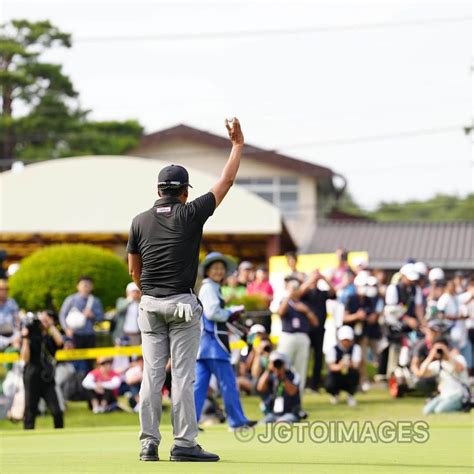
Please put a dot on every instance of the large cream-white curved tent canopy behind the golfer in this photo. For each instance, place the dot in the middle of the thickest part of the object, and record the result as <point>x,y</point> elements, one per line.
<point>101,194</point>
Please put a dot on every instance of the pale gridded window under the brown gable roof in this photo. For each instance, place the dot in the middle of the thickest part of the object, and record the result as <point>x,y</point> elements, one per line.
<point>281,191</point>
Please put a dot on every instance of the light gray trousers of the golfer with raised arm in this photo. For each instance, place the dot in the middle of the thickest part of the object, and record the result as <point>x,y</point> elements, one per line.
<point>165,335</point>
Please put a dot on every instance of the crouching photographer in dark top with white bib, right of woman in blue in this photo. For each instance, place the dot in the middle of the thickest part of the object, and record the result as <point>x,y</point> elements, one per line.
<point>280,388</point>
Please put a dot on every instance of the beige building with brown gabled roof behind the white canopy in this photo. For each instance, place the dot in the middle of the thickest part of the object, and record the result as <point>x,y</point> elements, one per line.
<point>298,188</point>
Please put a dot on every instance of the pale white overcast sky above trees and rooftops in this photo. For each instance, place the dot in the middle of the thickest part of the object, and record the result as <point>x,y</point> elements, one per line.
<point>383,105</point>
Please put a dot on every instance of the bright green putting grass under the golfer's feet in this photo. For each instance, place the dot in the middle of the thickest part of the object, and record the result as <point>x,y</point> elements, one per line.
<point>109,443</point>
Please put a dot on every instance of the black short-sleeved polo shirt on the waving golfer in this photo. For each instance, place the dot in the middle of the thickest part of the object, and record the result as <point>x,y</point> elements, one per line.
<point>168,237</point>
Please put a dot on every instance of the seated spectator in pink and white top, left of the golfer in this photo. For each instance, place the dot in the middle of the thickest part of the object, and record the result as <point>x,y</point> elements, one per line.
<point>102,385</point>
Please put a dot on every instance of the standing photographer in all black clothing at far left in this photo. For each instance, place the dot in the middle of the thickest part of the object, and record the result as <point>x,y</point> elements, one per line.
<point>40,340</point>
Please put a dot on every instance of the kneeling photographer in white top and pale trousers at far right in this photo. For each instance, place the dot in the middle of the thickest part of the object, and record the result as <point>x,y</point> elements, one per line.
<point>450,367</point>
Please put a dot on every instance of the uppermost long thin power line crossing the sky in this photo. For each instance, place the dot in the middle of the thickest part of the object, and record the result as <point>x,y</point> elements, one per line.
<point>276,32</point>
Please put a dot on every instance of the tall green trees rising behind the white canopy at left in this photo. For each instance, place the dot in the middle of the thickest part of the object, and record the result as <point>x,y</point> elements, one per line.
<point>40,116</point>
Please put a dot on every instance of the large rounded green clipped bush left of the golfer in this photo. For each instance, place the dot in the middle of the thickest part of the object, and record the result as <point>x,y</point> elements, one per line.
<point>48,275</point>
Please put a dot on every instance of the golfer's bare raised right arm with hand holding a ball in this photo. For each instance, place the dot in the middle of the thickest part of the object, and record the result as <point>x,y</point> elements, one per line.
<point>221,188</point>
